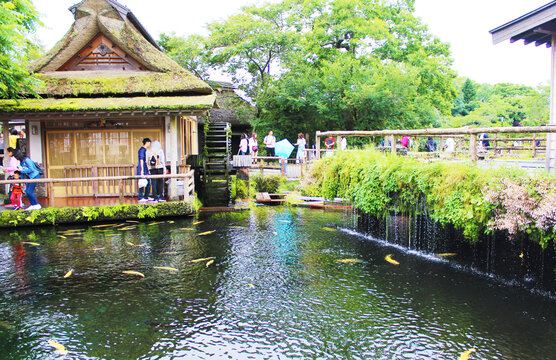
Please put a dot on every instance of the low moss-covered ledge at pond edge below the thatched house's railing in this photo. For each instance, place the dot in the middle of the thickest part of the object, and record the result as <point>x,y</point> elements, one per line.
<point>54,216</point>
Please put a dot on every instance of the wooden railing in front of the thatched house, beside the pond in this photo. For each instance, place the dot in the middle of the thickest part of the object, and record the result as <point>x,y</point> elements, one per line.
<point>188,182</point>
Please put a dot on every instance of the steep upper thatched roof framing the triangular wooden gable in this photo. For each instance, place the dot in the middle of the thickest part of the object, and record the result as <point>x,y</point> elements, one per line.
<point>121,27</point>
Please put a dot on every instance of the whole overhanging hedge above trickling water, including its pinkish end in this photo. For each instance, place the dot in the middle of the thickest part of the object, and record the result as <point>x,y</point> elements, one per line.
<point>473,199</point>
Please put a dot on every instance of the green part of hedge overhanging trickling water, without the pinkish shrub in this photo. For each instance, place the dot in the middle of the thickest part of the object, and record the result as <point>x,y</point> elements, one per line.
<point>377,183</point>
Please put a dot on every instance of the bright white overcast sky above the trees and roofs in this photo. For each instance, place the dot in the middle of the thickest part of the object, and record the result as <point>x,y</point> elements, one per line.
<point>464,24</point>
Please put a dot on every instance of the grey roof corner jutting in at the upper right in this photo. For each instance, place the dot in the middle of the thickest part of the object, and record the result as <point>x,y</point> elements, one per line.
<point>536,26</point>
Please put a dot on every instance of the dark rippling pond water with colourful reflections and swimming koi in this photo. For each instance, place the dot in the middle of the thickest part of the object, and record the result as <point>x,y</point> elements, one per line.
<point>303,303</point>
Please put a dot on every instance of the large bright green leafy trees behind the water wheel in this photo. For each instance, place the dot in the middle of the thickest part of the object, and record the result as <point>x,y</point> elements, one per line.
<point>328,64</point>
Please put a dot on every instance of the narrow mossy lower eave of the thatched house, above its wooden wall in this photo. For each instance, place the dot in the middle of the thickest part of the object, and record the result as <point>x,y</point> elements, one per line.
<point>203,102</point>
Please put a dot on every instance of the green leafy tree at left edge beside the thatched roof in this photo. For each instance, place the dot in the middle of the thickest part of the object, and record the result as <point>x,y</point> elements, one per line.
<point>18,19</point>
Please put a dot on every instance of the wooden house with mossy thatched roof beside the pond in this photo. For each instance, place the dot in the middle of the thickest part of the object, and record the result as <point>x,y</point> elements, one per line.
<point>105,86</point>
